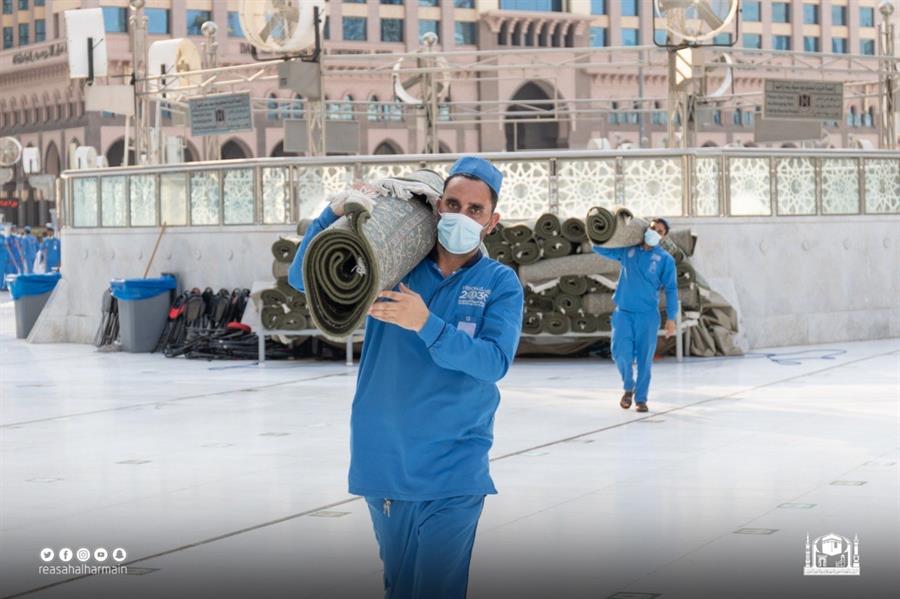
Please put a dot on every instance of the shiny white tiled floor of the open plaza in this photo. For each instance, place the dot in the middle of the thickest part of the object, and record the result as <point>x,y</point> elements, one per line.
<point>241,490</point>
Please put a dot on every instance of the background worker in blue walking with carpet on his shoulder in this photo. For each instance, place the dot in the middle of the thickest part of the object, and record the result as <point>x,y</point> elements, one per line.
<point>646,268</point>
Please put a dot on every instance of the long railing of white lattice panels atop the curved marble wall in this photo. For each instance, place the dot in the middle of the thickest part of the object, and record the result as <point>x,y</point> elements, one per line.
<point>695,183</point>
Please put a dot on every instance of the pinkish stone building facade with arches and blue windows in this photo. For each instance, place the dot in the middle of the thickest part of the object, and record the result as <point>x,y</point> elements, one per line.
<point>43,108</point>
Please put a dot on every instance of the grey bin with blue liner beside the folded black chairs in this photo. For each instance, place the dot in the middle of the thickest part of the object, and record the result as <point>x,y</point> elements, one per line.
<point>143,310</point>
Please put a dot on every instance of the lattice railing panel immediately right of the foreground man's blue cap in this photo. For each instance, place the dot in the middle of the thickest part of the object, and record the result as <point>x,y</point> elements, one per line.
<point>525,193</point>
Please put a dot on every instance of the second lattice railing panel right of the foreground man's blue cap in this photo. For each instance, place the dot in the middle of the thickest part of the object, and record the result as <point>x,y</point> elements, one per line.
<point>583,184</point>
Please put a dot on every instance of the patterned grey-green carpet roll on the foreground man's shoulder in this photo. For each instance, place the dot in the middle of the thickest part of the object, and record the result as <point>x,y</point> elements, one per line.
<point>349,263</point>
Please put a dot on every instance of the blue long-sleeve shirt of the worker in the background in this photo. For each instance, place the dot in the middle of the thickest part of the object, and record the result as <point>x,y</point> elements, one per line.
<point>643,274</point>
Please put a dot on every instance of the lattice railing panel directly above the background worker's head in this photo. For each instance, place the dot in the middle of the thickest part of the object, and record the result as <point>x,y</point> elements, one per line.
<point>653,186</point>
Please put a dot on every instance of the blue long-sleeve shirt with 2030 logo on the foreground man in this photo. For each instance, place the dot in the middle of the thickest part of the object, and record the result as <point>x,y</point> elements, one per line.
<point>422,418</point>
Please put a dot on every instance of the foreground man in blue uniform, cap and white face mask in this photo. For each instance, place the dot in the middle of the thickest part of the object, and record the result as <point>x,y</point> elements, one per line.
<point>423,414</point>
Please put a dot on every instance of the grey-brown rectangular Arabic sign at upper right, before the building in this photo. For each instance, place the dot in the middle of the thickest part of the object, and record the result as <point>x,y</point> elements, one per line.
<point>790,99</point>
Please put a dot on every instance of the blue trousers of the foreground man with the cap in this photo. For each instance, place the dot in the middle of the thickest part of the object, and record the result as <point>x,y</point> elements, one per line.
<point>426,546</point>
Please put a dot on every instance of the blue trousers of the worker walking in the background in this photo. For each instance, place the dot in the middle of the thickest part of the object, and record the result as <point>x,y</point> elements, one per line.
<point>634,340</point>
